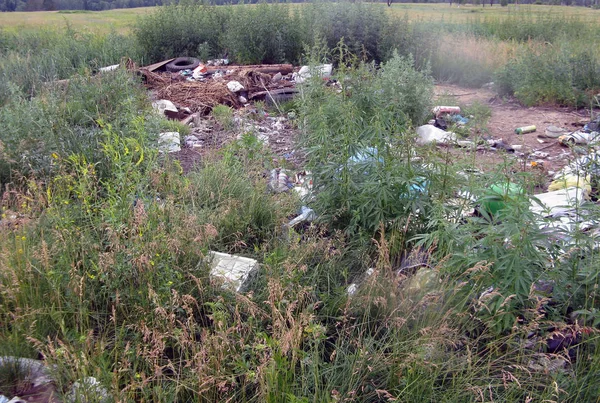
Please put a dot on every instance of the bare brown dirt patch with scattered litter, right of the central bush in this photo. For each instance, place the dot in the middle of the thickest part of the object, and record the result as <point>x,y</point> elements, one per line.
<point>507,115</point>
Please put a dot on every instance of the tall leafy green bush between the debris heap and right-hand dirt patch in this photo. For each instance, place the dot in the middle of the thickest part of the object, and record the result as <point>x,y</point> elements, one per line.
<point>359,146</point>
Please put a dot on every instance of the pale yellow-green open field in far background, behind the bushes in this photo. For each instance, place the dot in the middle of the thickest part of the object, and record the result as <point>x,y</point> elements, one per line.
<point>121,20</point>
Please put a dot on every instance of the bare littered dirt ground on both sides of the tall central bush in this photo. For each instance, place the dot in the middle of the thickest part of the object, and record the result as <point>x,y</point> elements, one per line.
<point>506,115</point>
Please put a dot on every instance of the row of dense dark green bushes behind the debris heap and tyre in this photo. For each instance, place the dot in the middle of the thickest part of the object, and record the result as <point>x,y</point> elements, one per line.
<point>272,33</point>
